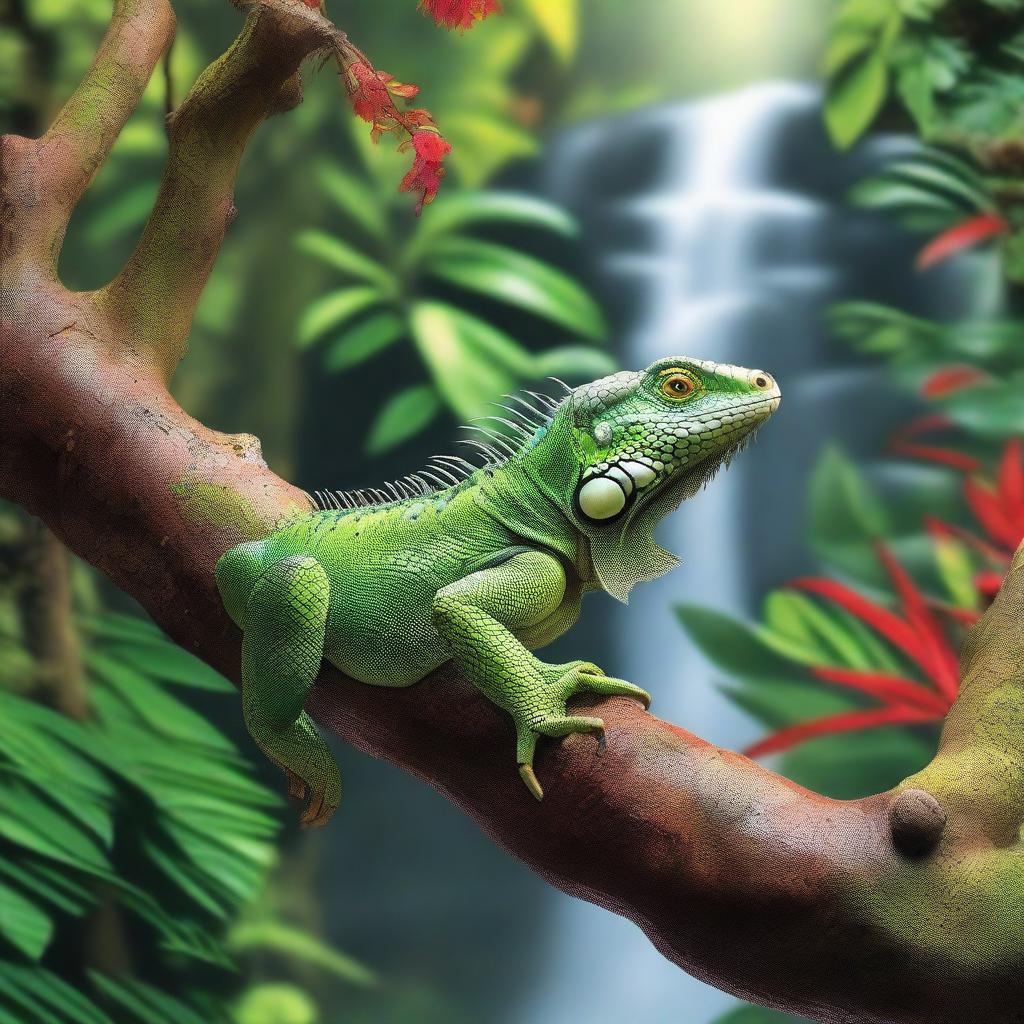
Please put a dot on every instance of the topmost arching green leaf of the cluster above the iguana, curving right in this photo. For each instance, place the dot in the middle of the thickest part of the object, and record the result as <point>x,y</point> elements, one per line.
<point>470,208</point>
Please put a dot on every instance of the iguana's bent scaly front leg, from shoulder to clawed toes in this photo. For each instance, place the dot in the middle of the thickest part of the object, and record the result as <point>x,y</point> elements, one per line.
<point>479,617</point>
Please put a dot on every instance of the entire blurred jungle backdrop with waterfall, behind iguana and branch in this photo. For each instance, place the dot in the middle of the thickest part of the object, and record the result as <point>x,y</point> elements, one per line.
<point>827,191</point>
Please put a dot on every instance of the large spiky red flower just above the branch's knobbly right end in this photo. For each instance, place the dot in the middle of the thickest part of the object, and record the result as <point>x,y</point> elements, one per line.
<point>917,634</point>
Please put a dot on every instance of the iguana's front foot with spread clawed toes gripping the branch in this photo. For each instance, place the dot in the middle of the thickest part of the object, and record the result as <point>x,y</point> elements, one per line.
<point>548,717</point>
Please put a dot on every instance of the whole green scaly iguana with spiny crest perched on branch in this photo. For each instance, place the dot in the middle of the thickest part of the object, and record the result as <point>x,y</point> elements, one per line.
<point>482,565</point>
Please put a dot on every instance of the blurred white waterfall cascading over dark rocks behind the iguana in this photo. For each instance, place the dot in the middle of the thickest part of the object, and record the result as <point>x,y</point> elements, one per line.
<point>732,254</point>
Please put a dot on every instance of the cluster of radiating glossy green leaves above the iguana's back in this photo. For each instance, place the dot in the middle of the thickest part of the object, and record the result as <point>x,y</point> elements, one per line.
<point>412,284</point>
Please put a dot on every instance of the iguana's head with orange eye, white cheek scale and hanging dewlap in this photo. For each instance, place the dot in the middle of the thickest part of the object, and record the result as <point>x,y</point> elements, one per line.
<point>642,444</point>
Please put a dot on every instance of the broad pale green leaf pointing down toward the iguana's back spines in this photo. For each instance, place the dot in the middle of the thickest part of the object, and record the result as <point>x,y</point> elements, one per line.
<point>471,362</point>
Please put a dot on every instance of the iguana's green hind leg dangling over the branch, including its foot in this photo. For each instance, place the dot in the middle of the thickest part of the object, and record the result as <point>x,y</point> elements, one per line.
<point>282,651</point>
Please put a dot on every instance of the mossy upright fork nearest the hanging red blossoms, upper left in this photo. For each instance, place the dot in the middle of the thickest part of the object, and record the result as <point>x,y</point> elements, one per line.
<point>156,294</point>
